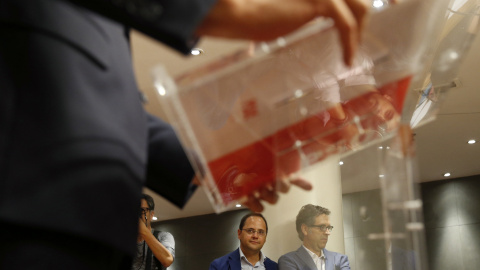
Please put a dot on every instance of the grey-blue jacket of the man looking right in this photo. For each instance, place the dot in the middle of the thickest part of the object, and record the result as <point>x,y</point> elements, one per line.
<point>301,260</point>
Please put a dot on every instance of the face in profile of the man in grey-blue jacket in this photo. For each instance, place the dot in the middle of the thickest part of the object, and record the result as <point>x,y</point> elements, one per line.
<point>314,238</point>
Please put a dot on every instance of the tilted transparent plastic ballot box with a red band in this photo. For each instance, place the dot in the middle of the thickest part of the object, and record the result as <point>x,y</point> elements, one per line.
<point>265,113</point>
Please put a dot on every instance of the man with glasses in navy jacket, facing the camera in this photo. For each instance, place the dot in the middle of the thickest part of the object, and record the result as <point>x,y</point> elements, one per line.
<point>252,234</point>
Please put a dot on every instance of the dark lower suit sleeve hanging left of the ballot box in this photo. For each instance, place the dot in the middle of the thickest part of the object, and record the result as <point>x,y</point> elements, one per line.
<point>169,172</point>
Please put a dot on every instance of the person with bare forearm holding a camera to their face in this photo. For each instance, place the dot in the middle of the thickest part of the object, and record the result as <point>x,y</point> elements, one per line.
<point>155,249</point>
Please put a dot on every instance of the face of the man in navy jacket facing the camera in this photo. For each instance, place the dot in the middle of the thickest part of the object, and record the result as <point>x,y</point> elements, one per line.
<point>252,242</point>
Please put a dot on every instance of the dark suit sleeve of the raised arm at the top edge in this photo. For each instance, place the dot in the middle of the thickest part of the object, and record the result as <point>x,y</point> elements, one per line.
<point>172,22</point>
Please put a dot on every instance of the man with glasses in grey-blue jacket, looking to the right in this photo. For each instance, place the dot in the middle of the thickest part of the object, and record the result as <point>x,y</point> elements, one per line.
<point>313,228</point>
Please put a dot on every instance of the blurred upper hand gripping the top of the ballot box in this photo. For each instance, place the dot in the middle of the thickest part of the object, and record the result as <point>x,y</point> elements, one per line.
<point>262,20</point>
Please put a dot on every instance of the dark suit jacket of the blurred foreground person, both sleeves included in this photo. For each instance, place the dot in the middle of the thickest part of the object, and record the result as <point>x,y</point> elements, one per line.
<point>74,137</point>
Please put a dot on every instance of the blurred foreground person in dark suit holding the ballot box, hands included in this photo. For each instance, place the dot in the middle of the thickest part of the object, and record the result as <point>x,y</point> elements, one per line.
<point>76,146</point>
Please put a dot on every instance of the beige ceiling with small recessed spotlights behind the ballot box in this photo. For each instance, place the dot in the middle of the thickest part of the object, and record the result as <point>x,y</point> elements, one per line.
<point>441,145</point>
